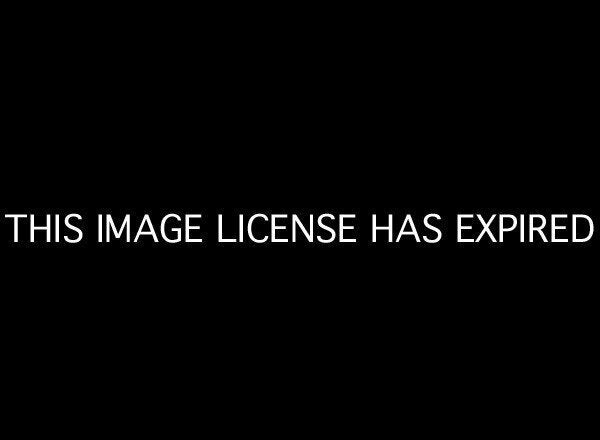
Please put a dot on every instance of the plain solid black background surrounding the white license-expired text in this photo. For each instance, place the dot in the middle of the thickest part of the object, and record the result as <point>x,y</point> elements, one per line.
<point>381,113</point>
